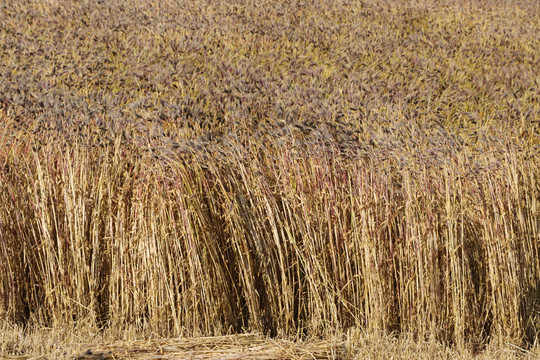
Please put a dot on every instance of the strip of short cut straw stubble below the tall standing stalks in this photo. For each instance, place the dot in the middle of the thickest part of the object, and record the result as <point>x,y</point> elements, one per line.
<point>61,343</point>
